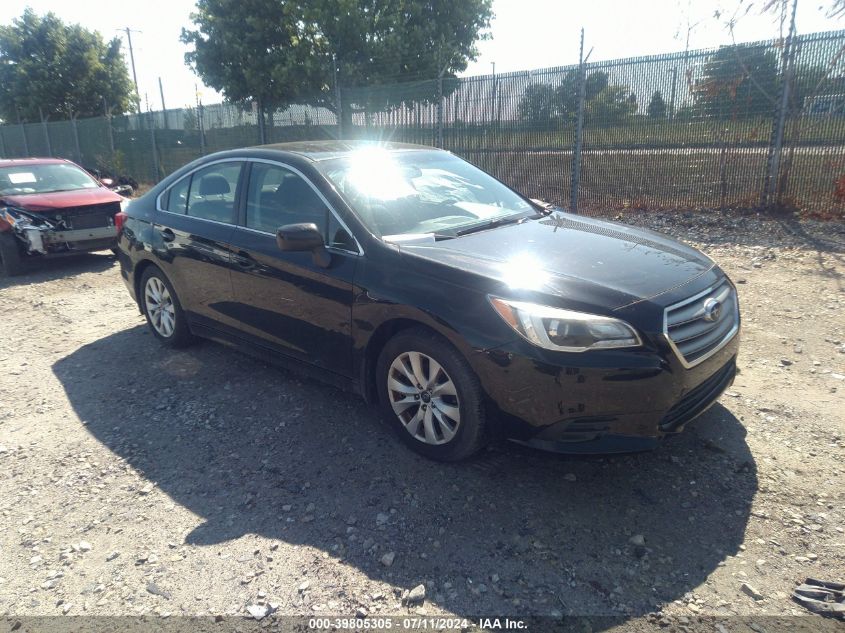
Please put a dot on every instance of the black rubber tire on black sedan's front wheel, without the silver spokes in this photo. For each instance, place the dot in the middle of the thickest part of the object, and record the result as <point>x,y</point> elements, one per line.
<point>472,431</point>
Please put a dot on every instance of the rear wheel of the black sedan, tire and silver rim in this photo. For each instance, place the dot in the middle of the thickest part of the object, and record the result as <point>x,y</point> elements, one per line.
<point>162,309</point>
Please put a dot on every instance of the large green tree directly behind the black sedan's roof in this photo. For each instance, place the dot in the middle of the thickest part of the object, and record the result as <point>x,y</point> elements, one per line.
<point>278,52</point>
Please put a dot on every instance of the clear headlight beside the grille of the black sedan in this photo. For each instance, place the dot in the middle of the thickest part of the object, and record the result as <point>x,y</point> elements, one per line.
<point>565,330</point>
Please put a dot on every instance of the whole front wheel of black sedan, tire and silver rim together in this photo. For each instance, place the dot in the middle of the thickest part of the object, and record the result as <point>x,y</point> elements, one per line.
<point>442,417</point>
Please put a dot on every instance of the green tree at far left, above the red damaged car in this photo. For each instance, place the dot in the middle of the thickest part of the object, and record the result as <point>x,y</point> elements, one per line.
<point>59,68</point>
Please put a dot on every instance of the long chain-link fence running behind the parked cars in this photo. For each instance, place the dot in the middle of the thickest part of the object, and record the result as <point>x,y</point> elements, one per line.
<point>743,125</point>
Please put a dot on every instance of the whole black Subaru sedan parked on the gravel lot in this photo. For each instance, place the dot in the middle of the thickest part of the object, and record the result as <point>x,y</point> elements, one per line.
<point>463,309</point>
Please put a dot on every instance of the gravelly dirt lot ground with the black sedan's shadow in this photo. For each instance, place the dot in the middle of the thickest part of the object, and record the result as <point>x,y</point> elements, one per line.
<point>135,480</point>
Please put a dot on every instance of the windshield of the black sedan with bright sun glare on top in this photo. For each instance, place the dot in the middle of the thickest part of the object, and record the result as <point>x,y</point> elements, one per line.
<point>412,193</point>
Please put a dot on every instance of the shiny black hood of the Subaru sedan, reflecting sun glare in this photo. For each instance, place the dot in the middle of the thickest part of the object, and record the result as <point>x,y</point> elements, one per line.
<point>563,253</point>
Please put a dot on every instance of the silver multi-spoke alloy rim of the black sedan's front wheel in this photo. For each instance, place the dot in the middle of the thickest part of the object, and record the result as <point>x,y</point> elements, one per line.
<point>424,398</point>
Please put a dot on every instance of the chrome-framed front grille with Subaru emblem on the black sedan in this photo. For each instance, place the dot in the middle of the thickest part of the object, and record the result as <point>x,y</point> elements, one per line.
<point>697,335</point>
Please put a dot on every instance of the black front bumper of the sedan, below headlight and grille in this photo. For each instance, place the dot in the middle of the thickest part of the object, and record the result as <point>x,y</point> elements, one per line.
<point>603,401</point>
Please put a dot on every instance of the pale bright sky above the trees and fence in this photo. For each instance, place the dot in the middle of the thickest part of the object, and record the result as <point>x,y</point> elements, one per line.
<point>526,34</point>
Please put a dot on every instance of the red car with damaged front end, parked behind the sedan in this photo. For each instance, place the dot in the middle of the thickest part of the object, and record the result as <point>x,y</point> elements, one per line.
<point>51,207</point>
